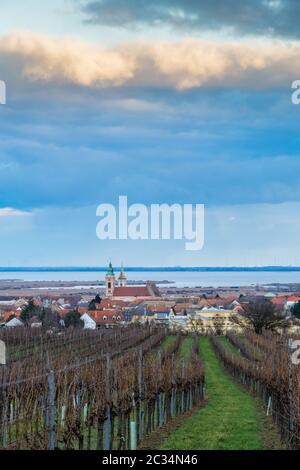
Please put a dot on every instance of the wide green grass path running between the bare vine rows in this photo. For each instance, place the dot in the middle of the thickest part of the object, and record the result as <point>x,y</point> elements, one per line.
<point>231,420</point>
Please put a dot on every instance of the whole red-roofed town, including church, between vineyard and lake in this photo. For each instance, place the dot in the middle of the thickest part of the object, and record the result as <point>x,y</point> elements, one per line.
<point>116,302</point>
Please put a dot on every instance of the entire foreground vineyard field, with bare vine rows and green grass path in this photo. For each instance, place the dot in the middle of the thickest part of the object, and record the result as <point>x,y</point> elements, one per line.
<point>143,387</point>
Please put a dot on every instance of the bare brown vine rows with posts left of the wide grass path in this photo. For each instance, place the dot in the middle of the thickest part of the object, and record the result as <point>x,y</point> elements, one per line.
<point>94,390</point>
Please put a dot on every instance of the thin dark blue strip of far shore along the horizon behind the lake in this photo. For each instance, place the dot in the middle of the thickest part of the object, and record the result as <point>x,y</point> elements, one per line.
<point>153,269</point>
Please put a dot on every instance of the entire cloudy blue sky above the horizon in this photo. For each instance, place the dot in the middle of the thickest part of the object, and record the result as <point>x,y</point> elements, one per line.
<point>169,101</point>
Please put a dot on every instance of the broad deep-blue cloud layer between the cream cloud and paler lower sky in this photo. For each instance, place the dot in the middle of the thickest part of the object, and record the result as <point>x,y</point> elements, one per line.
<point>84,148</point>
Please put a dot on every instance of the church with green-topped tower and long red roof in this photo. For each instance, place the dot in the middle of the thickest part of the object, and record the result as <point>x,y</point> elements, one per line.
<point>117,289</point>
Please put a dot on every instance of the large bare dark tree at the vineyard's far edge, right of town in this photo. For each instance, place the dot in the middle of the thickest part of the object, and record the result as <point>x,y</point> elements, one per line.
<point>261,315</point>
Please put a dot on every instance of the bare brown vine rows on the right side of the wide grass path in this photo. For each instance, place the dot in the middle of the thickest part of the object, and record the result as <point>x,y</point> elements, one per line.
<point>262,363</point>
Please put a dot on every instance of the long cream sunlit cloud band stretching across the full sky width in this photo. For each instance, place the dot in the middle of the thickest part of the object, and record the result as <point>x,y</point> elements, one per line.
<point>184,64</point>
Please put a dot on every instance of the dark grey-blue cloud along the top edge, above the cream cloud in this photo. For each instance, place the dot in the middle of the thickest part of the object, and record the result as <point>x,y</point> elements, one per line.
<point>258,17</point>
